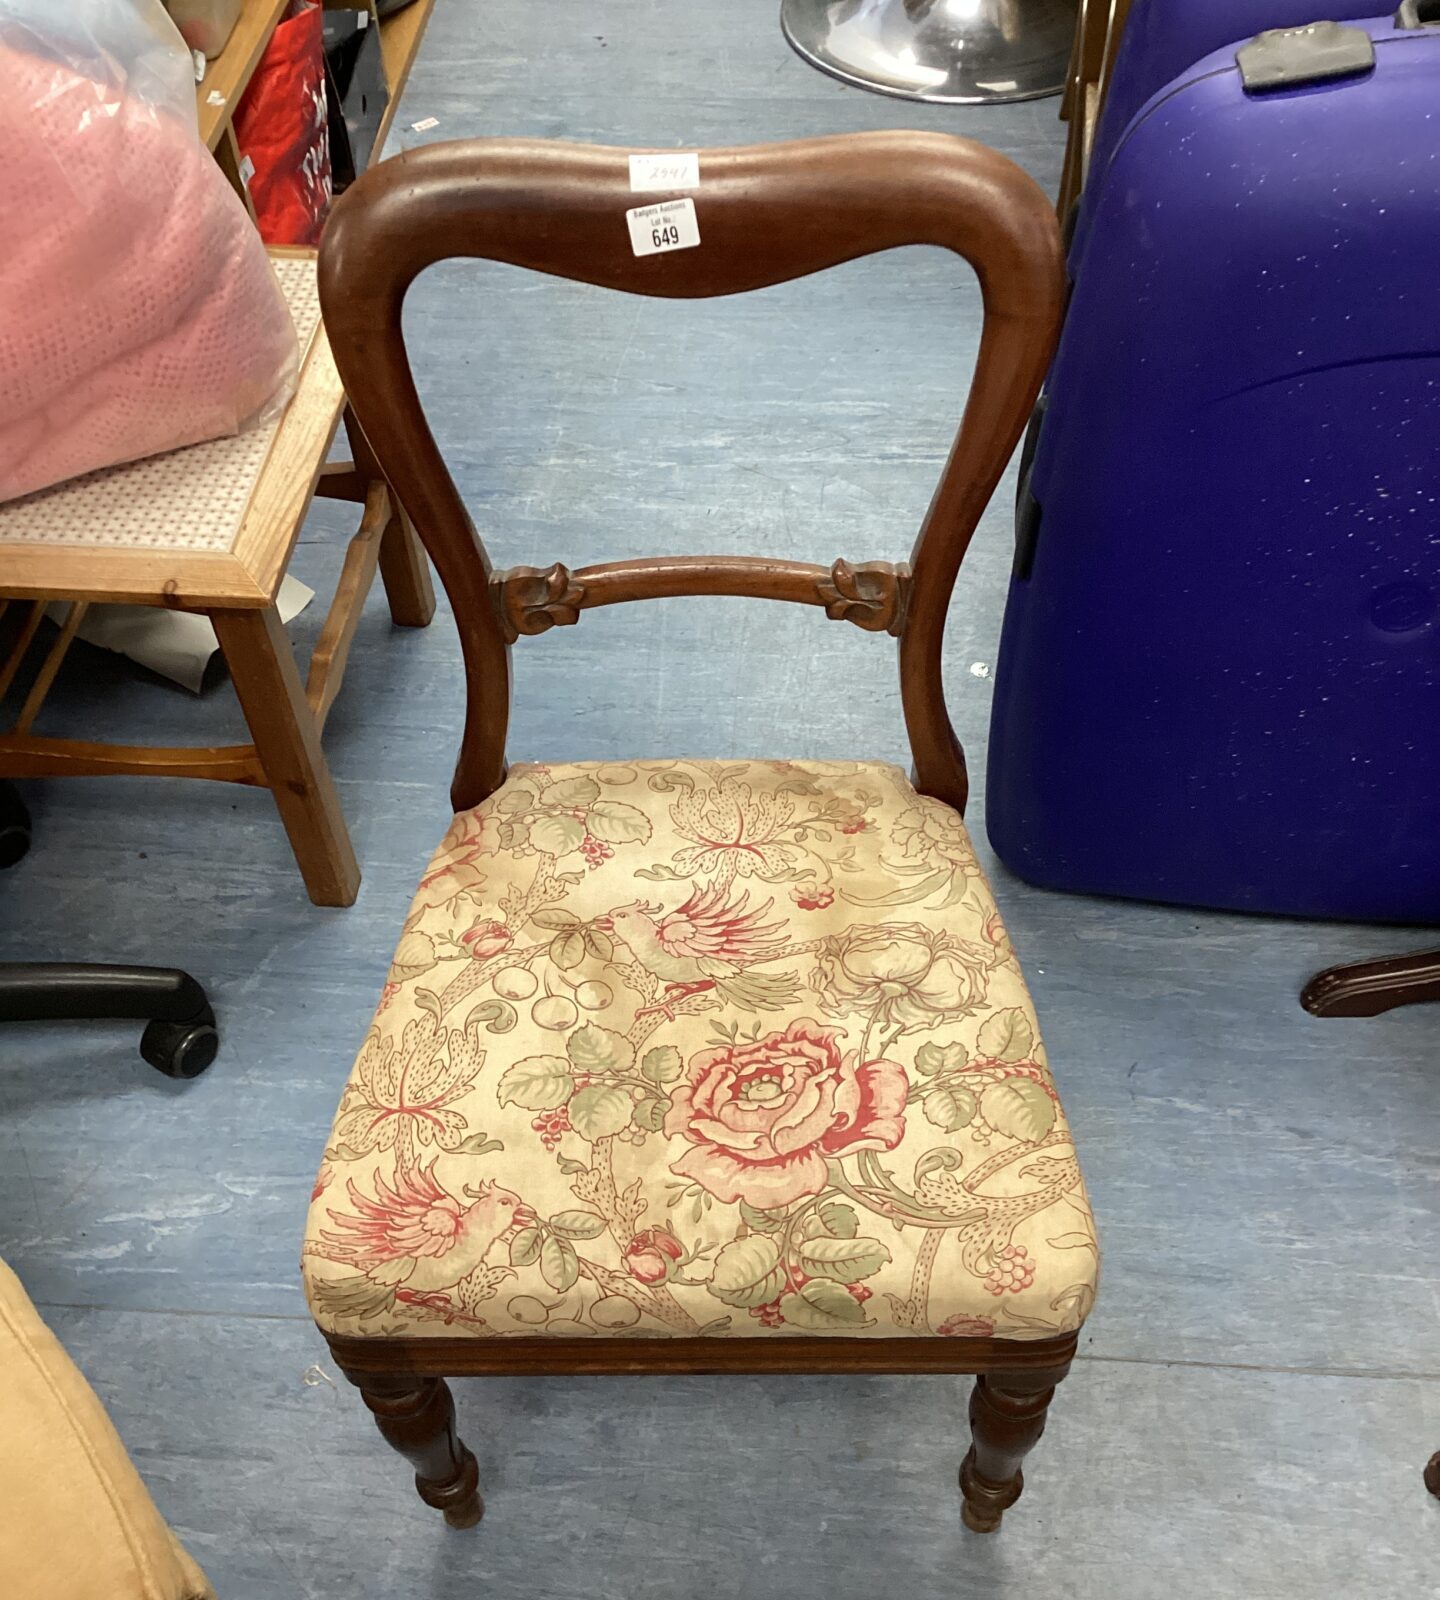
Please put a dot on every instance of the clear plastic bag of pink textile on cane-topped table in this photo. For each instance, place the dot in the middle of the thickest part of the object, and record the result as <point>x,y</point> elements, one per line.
<point>138,310</point>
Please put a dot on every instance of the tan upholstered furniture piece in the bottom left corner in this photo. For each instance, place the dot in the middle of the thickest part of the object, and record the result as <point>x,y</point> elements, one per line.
<point>76,1521</point>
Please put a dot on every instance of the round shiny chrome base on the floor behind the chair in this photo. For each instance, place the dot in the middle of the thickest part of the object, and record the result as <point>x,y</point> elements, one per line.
<point>958,52</point>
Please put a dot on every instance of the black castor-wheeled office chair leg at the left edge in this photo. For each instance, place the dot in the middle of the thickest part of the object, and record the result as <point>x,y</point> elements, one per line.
<point>180,1038</point>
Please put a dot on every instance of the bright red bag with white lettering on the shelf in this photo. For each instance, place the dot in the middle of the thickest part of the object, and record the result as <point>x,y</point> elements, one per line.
<point>282,127</point>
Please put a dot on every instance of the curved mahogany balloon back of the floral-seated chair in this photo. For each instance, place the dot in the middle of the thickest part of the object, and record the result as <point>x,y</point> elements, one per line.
<point>766,214</point>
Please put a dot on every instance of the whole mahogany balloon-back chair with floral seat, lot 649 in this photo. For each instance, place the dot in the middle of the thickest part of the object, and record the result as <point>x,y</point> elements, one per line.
<point>698,1066</point>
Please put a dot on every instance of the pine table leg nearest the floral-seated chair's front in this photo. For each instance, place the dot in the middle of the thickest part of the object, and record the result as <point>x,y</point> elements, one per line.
<point>287,742</point>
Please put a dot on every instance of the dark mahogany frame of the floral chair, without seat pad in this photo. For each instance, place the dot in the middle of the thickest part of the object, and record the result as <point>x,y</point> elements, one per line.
<point>767,215</point>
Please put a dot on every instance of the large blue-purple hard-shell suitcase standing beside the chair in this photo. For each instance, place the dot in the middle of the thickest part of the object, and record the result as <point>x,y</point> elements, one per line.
<point>1220,673</point>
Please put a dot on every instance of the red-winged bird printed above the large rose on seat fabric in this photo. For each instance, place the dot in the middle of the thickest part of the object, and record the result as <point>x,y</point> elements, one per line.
<point>710,943</point>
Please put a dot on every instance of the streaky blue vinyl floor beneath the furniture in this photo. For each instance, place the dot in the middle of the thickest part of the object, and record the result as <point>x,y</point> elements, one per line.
<point>1262,1382</point>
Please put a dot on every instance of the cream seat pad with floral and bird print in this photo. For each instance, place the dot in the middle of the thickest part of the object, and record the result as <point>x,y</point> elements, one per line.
<point>703,1049</point>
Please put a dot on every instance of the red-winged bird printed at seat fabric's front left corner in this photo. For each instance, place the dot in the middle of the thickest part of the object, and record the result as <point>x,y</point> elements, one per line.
<point>415,1241</point>
